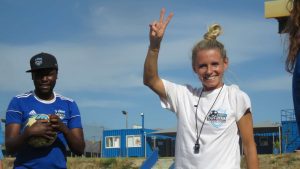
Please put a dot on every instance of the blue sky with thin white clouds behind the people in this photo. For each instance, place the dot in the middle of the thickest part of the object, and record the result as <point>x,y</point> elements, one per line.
<point>101,46</point>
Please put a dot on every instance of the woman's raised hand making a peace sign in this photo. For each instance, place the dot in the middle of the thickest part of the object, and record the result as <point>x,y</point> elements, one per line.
<point>157,29</point>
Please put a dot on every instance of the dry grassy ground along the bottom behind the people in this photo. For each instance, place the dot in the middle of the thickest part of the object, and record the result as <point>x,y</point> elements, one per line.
<point>270,161</point>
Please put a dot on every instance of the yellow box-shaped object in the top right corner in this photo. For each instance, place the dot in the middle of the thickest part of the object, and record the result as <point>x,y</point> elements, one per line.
<point>277,8</point>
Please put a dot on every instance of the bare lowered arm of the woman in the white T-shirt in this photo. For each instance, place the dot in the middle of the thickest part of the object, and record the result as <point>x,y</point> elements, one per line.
<point>245,126</point>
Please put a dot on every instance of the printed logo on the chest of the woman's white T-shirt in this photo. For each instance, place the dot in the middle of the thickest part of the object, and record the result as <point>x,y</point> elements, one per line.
<point>217,117</point>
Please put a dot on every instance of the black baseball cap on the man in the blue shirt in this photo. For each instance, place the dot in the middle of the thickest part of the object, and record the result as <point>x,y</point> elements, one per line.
<point>42,61</point>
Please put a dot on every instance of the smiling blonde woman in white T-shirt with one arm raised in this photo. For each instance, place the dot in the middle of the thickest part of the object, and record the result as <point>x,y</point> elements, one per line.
<point>211,117</point>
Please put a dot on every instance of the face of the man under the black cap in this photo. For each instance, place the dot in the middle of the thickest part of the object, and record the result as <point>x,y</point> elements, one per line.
<point>44,81</point>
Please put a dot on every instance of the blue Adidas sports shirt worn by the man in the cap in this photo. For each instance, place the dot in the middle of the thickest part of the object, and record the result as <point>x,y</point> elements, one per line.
<point>28,104</point>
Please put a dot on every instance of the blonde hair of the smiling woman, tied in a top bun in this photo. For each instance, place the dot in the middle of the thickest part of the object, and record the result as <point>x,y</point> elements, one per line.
<point>209,42</point>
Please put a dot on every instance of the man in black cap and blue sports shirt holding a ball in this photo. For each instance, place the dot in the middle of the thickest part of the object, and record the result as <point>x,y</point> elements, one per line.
<point>65,120</point>
